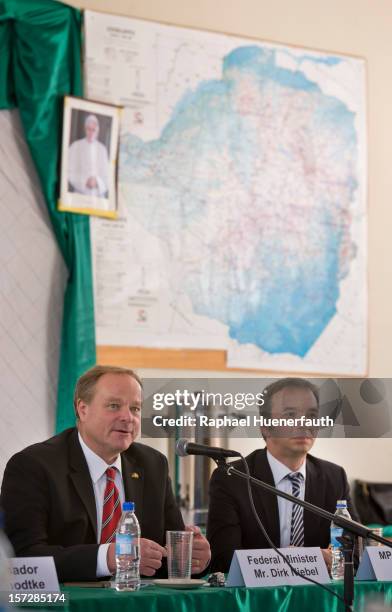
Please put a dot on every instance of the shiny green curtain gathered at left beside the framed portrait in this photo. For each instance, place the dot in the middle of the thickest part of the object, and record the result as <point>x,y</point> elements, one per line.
<point>40,62</point>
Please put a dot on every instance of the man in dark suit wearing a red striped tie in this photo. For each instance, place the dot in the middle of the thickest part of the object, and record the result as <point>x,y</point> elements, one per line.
<point>55,493</point>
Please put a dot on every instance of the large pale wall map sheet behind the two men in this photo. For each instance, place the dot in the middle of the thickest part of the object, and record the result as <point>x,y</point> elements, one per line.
<point>242,191</point>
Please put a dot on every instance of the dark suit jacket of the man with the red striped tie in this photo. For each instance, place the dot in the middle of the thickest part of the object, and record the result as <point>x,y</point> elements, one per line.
<point>48,499</point>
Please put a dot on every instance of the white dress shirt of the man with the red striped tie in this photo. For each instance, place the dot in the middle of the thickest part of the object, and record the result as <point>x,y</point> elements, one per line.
<point>97,468</point>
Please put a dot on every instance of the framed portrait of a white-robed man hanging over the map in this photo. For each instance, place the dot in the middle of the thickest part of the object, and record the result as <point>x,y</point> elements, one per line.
<point>89,158</point>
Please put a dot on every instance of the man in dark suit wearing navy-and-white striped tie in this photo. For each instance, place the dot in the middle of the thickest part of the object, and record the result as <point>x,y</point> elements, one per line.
<point>286,464</point>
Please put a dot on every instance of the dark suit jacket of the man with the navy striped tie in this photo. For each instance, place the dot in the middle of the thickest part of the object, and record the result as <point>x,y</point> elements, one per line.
<point>232,526</point>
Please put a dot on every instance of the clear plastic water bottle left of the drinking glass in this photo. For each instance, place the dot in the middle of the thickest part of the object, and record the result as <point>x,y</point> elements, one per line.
<point>128,550</point>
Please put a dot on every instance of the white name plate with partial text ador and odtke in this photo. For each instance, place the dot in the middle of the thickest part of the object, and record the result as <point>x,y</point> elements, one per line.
<point>33,575</point>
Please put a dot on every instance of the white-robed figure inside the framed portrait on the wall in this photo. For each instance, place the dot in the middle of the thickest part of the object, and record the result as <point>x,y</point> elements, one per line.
<point>88,162</point>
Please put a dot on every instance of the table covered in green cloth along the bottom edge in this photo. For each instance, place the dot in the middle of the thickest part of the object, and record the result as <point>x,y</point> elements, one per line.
<point>279,599</point>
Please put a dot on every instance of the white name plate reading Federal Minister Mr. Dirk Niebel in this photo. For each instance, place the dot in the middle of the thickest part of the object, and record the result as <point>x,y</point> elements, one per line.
<point>264,567</point>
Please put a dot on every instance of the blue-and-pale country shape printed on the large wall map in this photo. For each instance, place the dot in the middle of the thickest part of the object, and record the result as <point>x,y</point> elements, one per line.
<point>250,189</point>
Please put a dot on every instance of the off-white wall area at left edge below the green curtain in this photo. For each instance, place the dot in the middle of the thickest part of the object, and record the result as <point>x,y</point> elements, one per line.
<point>31,296</point>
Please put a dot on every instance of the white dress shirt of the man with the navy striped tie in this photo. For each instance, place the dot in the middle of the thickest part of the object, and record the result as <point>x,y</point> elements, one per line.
<point>279,473</point>
